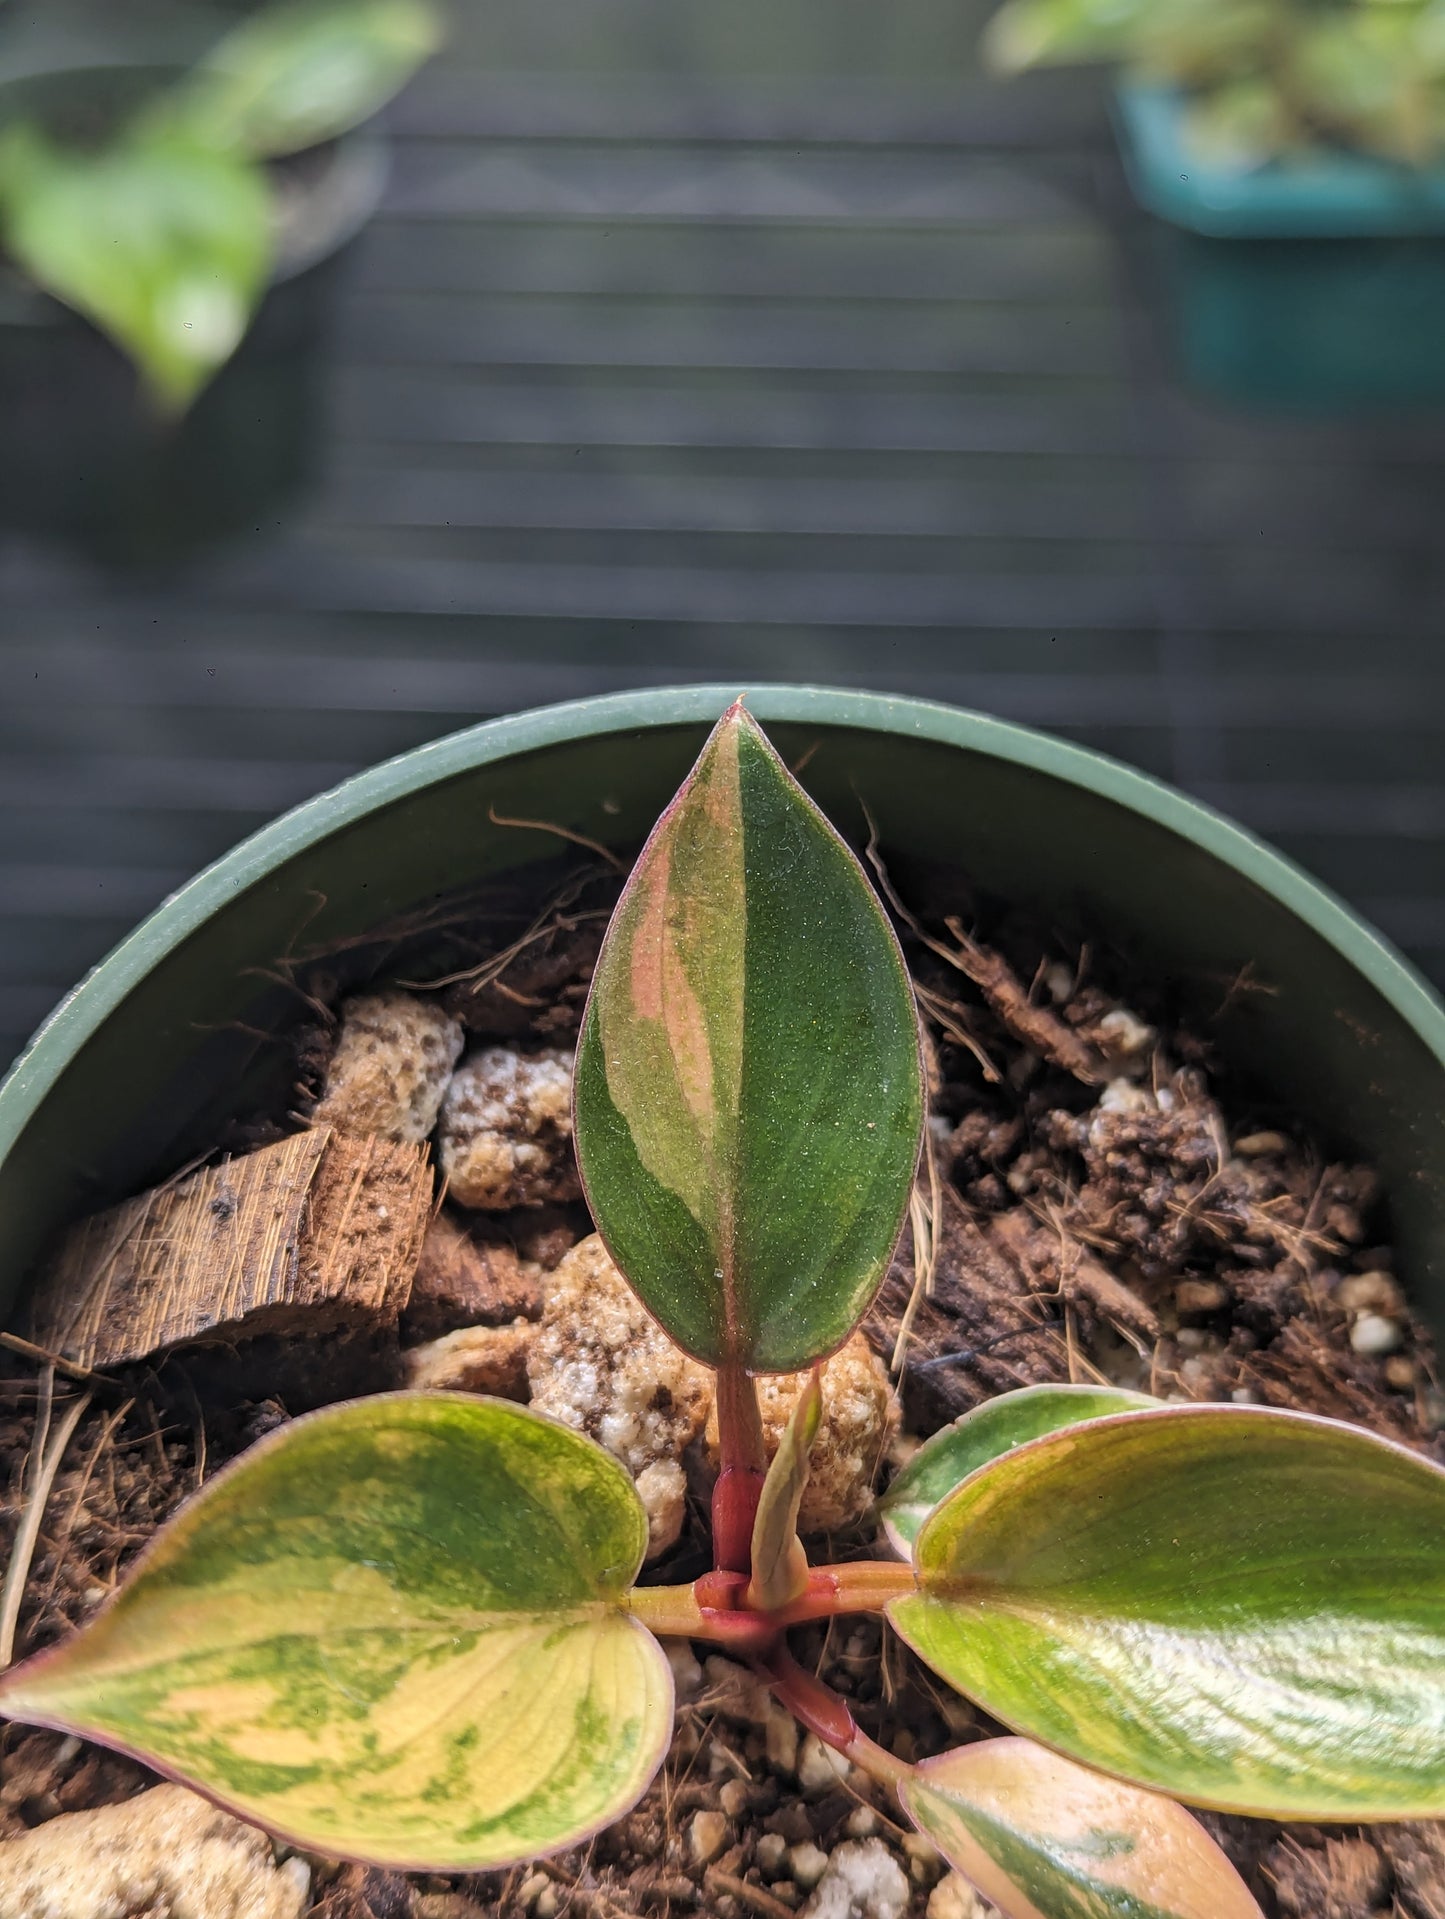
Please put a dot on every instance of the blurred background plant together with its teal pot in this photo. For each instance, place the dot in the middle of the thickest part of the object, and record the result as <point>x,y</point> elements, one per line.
<point>1300,154</point>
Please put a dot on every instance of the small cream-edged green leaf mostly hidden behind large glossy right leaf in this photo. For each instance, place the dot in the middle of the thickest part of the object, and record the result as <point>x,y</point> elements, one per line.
<point>991,1429</point>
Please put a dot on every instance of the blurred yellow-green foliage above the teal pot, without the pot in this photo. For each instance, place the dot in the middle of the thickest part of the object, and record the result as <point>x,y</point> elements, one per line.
<point>1264,80</point>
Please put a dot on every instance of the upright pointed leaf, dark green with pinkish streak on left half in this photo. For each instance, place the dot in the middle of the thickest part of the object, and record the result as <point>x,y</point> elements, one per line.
<point>747,1093</point>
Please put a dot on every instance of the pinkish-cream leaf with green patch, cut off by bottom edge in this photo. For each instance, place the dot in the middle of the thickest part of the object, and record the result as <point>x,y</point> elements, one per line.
<point>1047,1839</point>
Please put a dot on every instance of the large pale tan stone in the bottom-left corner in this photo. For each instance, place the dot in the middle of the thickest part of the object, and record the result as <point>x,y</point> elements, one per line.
<point>166,1855</point>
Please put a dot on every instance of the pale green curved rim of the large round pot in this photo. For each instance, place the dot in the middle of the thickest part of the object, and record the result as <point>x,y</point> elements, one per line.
<point>87,1007</point>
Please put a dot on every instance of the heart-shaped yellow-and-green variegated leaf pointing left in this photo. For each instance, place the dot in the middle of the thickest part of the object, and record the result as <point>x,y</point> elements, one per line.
<point>391,1632</point>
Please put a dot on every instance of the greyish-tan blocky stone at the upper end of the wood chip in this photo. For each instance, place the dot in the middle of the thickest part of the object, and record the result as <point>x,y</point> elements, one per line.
<point>391,1068</point>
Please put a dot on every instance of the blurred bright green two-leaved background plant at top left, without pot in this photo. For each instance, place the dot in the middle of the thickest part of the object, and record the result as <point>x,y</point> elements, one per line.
<point>158,218</point>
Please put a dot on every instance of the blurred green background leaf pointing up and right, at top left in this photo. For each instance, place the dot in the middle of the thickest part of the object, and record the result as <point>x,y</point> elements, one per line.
<point>302,74</point>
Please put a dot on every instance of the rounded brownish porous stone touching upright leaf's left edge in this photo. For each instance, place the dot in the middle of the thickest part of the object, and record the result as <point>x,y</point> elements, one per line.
<point>506,1133</point>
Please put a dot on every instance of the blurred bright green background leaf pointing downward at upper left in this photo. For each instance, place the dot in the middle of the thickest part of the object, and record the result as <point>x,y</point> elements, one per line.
<point>158,241</point>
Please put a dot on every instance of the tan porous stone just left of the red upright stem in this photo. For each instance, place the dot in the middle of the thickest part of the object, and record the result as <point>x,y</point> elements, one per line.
<point>605,1367</point>
